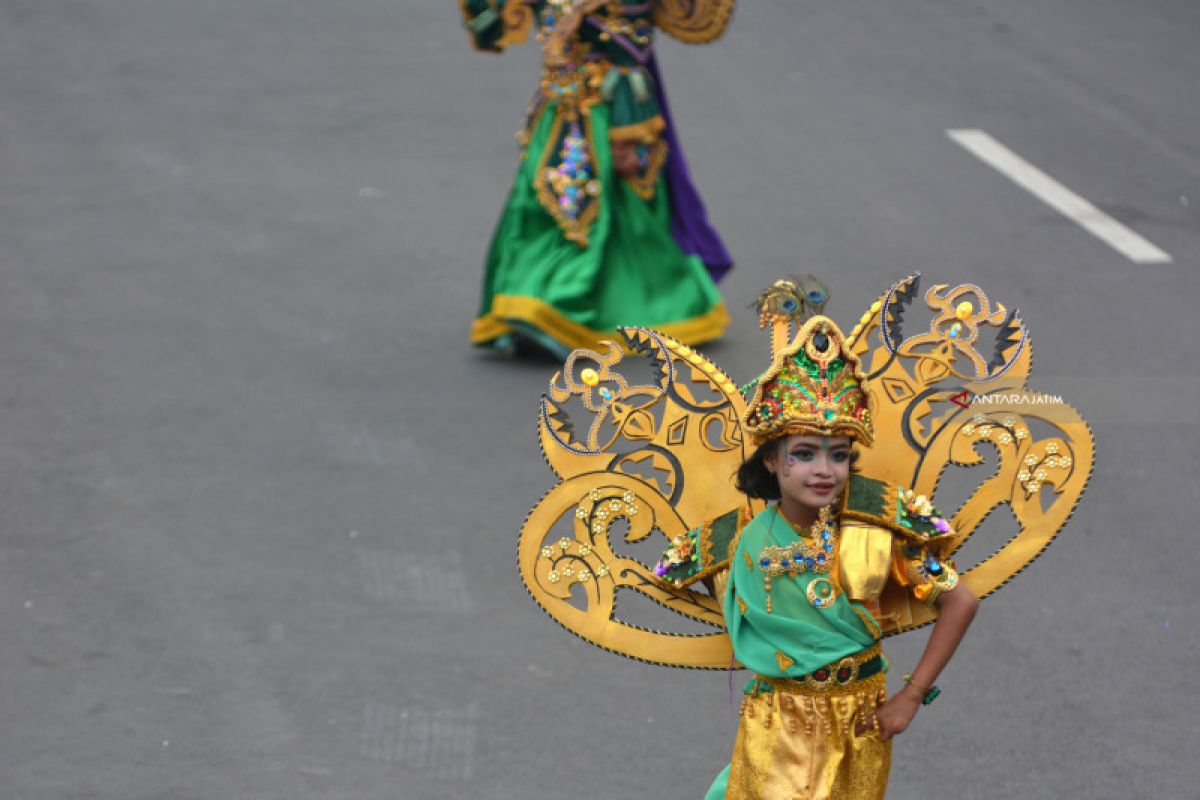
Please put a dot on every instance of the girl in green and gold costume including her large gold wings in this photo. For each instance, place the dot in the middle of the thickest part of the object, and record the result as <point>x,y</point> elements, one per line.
<point>801,592</point>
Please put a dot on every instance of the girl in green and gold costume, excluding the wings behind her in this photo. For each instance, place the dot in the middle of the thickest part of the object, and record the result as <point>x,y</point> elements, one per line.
<point>803,591</point>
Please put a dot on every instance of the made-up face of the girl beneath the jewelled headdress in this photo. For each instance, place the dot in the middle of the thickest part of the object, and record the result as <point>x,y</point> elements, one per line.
<point>812,471</point>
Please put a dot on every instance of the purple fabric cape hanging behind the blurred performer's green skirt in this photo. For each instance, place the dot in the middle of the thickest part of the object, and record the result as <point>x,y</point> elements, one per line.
<point>689,221</point>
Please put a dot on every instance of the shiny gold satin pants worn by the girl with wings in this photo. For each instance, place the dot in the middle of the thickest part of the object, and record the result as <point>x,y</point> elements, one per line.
<point>799,743</point>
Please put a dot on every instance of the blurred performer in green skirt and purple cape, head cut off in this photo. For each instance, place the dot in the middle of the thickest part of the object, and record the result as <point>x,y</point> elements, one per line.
<point>603,226</point>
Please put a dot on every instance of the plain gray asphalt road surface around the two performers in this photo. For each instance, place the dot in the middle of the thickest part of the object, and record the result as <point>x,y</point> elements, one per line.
<point>260,502</point>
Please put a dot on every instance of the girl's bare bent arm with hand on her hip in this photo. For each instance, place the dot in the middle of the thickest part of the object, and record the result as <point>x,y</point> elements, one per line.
<point>956,610</point>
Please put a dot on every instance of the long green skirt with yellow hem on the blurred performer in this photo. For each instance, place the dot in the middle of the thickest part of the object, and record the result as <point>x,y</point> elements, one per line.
<point>566,296</point>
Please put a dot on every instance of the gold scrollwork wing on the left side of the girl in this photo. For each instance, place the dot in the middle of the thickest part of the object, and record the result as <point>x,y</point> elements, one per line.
<point>638,437</point>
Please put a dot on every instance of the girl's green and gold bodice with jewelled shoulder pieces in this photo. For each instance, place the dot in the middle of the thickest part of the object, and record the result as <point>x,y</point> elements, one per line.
<point>794,601</point>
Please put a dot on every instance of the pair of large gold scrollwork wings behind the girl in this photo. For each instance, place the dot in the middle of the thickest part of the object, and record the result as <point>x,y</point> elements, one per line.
<point>643,461</point>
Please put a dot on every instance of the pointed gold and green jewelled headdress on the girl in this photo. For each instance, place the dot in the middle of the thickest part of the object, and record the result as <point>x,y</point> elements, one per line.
<point>814,386</point>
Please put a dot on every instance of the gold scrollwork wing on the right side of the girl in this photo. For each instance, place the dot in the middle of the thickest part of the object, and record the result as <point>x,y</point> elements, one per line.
<point>956,392</point>
